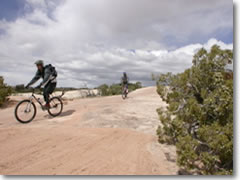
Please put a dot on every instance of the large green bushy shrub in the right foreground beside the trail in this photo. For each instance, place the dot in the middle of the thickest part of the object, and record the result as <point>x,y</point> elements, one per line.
<point>199,118</point>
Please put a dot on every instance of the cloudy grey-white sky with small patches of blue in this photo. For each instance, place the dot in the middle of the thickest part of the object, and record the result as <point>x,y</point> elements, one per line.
<point>94,41</point>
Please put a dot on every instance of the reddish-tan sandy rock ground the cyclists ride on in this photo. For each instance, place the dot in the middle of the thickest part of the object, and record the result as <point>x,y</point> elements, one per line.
<point>93,136</point>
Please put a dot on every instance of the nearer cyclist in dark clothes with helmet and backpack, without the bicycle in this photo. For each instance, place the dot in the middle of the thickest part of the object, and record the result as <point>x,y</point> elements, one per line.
<point>49,75</point>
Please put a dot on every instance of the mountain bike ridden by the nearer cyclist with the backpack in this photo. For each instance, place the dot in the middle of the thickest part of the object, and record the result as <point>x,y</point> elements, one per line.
<point>26,110</point>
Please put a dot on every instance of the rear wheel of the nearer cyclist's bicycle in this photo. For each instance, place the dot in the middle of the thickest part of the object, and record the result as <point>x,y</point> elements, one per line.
<point>56,106</point>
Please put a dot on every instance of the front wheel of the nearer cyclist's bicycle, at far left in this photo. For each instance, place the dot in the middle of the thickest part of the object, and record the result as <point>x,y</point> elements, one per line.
<point>25,111</point>
